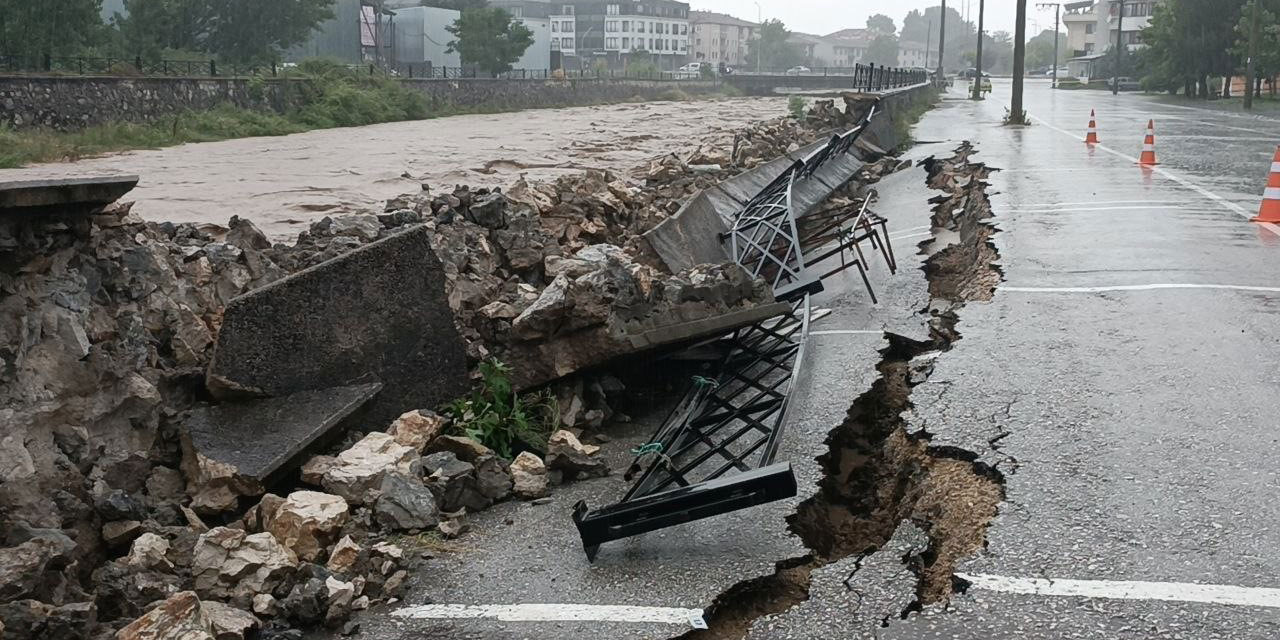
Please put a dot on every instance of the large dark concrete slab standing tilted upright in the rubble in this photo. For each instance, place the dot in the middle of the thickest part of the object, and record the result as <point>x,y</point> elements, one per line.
<point>380,312</point>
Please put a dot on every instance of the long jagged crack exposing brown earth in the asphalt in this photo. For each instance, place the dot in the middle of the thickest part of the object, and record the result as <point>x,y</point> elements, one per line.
<point>879,473</point>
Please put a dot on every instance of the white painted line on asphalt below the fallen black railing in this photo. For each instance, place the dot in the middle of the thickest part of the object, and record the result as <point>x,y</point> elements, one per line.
<point>555,614</point>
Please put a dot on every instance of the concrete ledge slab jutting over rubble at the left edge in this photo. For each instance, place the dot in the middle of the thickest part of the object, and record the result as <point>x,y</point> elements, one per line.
<point>68,195</point>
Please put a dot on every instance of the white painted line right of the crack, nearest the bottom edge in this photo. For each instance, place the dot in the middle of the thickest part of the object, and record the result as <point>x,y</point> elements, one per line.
<point>1128,591</point>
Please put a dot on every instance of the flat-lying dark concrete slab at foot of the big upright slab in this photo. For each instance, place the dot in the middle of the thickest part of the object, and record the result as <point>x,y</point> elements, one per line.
<point>263,437</point>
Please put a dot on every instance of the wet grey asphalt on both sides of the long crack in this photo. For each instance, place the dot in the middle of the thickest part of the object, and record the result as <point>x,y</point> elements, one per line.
<point>1128,368</point>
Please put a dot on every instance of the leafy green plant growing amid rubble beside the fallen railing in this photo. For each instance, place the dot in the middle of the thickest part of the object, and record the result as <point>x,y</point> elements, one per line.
<point>500,418</point>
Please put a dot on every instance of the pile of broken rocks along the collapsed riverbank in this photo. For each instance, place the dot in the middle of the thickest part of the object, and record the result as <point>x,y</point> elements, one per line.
<point>108,324</point>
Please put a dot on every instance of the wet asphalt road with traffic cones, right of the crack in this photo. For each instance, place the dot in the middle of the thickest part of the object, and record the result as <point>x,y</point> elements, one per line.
<point>1128,372</point>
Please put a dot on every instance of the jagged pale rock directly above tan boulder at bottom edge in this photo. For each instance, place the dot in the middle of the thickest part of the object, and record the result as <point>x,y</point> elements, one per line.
<point>227,564</point>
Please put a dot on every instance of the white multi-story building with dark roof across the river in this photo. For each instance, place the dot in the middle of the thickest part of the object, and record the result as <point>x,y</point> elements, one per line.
<point>587,33</point>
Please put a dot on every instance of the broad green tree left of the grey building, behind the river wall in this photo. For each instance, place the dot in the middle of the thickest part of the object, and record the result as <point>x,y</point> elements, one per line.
<point>230,30</point>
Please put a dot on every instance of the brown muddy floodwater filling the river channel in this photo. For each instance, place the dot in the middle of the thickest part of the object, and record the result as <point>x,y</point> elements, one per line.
<point>284,184</point>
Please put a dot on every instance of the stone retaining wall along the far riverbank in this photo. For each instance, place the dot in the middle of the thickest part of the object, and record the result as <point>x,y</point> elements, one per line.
<point>72,103</point>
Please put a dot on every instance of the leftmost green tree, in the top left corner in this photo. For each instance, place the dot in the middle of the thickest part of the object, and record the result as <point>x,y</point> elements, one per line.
<point>49,28</point>
